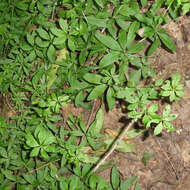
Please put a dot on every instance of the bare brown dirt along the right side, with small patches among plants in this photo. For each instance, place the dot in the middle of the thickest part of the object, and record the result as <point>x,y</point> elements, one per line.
<point>169,169</point>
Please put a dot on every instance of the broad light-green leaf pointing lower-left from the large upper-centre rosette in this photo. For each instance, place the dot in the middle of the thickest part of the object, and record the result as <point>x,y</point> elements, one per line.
<point>109,59</point>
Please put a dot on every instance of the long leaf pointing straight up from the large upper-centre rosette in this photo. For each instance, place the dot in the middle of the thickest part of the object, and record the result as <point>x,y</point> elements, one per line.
<point>132,33</point>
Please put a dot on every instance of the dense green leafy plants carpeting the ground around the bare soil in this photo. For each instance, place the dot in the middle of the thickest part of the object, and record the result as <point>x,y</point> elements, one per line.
<point>54,52</point>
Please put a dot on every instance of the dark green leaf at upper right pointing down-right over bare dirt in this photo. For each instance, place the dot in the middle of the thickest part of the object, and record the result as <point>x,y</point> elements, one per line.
<point>166,40</point>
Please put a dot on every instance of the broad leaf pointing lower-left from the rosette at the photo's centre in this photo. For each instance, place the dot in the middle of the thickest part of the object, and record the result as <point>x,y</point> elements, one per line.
<point>97,92</point>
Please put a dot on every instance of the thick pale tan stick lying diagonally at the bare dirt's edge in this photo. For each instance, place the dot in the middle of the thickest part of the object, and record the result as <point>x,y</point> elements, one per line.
<point>114,146</point>
